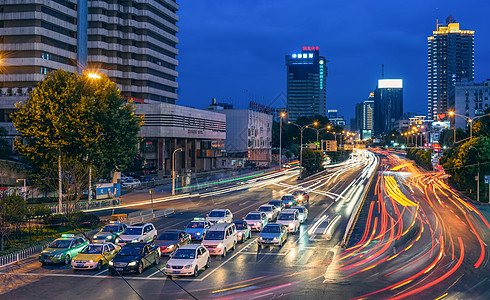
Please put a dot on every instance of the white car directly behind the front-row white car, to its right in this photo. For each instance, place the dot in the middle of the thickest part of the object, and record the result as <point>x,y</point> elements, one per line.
<point>220,238</point>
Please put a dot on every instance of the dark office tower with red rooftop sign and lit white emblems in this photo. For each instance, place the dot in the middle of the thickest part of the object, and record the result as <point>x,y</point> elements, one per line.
<point>306,83</point>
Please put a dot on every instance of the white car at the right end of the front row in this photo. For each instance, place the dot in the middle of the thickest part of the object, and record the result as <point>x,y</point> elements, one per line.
<point>188,260</point>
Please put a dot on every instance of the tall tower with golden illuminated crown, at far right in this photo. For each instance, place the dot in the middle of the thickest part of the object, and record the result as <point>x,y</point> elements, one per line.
<point>450,59</point>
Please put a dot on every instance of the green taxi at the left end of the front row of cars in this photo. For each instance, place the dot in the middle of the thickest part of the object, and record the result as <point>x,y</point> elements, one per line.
<point>63,249</point>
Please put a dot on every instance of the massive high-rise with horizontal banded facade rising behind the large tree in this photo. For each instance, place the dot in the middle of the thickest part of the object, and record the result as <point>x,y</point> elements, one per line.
<point>133,42</point>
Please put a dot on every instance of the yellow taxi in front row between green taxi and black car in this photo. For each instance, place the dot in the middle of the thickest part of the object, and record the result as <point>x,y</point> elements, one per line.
<point>94,256</point>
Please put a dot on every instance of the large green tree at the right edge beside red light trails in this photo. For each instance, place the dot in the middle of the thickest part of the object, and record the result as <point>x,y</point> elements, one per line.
<point>461,163</point>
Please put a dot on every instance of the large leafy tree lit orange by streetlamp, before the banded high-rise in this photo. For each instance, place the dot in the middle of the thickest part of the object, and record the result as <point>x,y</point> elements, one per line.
<point>77,122</point>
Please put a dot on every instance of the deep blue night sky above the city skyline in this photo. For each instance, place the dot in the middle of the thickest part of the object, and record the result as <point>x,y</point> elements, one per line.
<point>235,50</point>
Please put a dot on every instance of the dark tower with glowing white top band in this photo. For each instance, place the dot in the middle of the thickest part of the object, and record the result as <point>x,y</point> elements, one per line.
<point>388,105</point>
